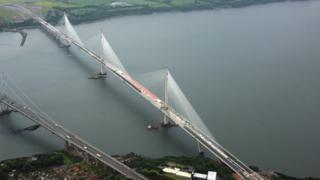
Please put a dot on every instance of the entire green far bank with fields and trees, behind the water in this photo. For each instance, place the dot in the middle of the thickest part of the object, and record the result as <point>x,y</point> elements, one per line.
<point>88,10</point>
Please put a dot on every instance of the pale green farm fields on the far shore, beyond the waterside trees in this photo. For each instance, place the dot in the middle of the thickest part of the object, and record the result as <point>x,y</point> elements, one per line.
<point>85,7</point>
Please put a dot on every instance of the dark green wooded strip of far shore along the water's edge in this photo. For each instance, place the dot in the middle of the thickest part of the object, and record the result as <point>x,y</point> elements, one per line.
<point>106,13</point>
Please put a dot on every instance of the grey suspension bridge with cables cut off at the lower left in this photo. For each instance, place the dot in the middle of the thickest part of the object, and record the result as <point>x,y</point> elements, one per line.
<point>9,104</point>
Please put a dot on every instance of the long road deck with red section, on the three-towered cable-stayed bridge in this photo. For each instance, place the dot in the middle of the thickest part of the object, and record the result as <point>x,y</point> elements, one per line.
<point>212,145</point>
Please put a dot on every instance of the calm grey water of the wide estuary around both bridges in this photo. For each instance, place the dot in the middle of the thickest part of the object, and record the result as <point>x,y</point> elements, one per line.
<point>251,73</point>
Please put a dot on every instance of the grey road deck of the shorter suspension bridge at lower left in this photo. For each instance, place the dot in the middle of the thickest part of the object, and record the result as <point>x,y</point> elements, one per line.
<point>71,138</point>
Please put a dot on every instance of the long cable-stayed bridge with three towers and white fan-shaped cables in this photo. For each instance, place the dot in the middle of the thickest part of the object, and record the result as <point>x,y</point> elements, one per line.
<point>109,60</point>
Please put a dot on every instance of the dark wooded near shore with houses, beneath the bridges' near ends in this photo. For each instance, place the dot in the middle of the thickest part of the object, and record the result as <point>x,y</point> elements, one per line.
<point>59,163</point>
